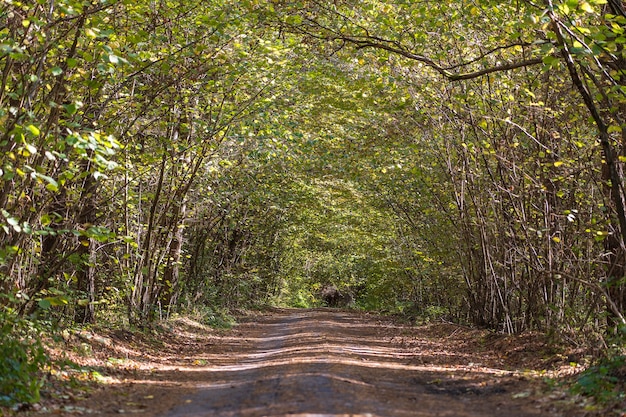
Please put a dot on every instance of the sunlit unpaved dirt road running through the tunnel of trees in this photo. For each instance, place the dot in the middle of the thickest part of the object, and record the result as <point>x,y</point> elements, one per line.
<point>326,362</point>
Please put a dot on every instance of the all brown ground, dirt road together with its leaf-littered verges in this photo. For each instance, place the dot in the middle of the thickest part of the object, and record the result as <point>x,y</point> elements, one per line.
<point>320,362</point>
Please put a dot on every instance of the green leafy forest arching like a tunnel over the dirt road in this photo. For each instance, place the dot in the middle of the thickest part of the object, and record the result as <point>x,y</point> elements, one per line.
<point>458,160</point>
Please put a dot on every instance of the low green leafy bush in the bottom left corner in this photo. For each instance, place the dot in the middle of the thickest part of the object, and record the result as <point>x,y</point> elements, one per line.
<point>21,357</point>
